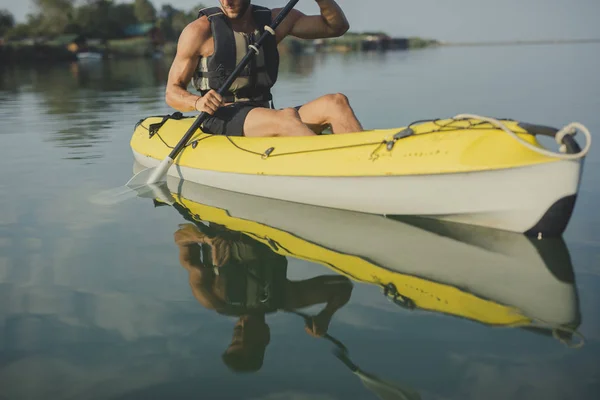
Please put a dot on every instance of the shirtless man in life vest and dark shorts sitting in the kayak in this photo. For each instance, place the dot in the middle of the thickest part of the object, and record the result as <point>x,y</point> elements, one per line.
<point>211,46</point>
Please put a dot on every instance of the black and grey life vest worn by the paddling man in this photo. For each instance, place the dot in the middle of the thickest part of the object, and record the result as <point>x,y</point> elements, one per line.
<point>259,76</point>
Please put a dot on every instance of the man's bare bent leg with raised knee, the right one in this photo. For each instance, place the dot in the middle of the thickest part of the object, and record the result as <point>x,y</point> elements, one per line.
<point>331,109</point>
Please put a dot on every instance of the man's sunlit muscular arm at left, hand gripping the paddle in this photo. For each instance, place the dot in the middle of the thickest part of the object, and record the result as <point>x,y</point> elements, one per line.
<point>192,43</point>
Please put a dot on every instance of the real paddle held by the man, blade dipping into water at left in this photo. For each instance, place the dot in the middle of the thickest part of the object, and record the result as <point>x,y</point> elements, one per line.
<point>146,180</point>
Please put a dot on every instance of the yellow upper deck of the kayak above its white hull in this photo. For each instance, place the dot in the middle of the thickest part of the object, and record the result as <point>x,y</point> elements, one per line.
<point>433,147</point>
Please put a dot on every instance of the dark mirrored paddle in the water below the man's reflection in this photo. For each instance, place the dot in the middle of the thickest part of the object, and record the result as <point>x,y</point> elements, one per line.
<point>385,390</point>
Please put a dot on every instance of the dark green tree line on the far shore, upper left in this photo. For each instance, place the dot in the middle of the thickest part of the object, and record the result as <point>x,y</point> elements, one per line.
<point>102,19</point>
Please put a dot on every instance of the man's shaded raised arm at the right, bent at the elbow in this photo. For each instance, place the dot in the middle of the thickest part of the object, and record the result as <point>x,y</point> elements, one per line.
<point>331,23</point>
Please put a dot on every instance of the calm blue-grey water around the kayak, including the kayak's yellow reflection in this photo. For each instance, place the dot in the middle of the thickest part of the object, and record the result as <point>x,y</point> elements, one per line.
<point>95,303</point>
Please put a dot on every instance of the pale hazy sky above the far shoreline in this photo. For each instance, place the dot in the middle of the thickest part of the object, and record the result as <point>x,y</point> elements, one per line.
<point>445,20</point>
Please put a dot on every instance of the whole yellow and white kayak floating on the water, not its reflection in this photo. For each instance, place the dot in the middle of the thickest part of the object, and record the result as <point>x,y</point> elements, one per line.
<point>466,169</point>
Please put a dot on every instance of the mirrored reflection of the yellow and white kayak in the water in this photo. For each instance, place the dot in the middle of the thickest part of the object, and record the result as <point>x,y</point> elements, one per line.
<point>483,275</point>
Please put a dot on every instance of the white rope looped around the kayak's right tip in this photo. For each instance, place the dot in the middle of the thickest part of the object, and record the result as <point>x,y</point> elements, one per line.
<point>570,129</point>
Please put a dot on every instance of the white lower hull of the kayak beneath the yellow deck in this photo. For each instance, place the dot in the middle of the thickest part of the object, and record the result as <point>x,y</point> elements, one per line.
<point>513,199</point>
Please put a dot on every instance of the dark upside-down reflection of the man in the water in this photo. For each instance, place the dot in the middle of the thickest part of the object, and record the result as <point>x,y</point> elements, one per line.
<point>235,275</point>
